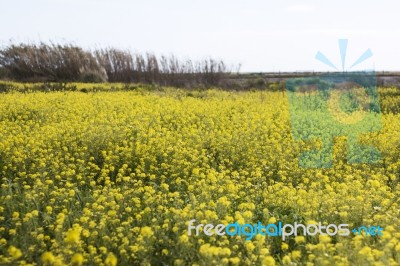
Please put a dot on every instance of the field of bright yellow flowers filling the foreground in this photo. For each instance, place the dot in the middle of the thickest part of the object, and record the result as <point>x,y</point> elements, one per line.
<point>114,177</point>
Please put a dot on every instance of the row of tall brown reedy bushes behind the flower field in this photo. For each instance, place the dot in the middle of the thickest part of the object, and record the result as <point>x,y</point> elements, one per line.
<point>67,62</point>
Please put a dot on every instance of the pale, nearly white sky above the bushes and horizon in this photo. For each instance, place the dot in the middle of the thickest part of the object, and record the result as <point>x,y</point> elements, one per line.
<point>261,35</point>
